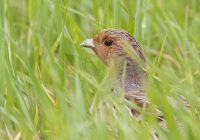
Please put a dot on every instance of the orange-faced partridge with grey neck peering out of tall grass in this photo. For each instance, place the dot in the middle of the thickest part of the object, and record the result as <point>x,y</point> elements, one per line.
<point>113,47</point>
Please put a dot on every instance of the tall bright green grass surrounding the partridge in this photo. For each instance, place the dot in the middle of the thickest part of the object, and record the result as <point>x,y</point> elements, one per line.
<point>51,88</point>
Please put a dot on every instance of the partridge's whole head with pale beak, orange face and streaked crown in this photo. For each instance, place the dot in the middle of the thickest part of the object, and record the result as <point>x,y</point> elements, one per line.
<point>111,44</point>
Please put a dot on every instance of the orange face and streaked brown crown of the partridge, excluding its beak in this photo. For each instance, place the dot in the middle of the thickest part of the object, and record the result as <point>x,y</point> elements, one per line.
<point>109,42</point>
